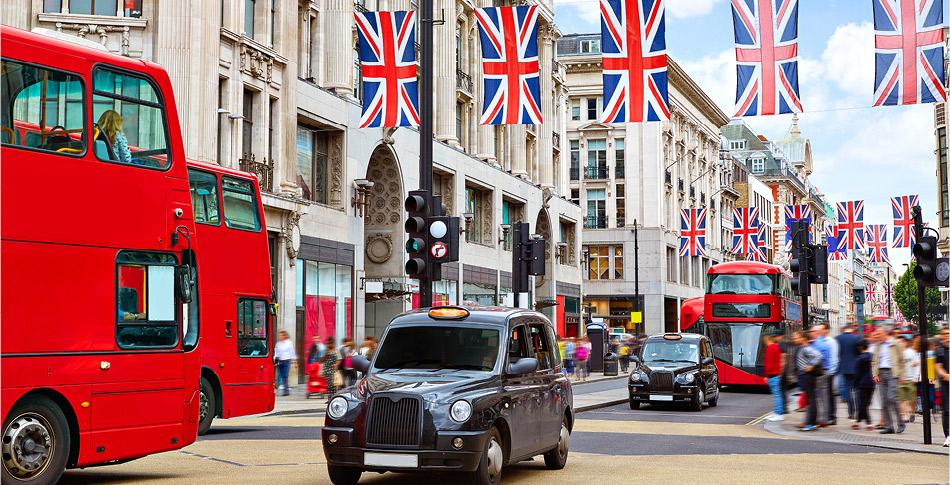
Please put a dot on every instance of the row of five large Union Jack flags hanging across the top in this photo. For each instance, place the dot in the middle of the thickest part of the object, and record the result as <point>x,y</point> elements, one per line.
<point>908,43</point>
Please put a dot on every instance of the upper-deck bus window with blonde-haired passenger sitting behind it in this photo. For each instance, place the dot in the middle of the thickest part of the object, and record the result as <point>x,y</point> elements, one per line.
<point>129,120</point>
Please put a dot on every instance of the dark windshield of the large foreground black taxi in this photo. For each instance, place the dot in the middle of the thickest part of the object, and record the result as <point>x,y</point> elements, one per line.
<point>438,347</point>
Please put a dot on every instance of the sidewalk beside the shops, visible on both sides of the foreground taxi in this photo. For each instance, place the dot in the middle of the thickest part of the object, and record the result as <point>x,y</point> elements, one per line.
<point>297,402</point>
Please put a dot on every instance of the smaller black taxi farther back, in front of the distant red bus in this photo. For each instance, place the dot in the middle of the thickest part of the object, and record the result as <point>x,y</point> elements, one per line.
<point>675,368</point>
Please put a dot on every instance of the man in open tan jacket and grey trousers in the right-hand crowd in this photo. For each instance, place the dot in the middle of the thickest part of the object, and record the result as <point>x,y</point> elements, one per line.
<point>887,366</point>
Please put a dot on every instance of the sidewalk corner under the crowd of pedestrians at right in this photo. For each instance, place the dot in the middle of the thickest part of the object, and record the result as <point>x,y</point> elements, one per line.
<point>912,439</point>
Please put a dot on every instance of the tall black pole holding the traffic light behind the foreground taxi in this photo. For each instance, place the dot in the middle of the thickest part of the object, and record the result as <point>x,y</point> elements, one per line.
<point>425,131</point>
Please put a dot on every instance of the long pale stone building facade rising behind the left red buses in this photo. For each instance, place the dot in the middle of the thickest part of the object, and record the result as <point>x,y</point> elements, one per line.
<point>274,87</point>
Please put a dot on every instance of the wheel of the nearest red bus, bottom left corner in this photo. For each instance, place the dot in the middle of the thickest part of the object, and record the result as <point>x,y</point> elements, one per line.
<point>35,442</point>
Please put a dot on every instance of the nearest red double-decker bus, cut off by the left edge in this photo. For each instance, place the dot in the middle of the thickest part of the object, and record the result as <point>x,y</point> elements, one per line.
<point>100,331</point>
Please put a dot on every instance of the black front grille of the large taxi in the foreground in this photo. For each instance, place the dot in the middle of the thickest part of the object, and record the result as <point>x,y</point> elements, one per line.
<point>394,421</point>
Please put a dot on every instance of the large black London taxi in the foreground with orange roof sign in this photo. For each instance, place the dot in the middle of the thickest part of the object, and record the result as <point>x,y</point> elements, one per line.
<point>453,389</point>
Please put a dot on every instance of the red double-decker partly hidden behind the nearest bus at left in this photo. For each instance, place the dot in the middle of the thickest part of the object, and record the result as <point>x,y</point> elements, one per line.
<point>237,373</point>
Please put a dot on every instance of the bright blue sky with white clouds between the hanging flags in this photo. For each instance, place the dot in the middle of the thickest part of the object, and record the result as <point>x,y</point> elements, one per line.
<point>859,152</point>
